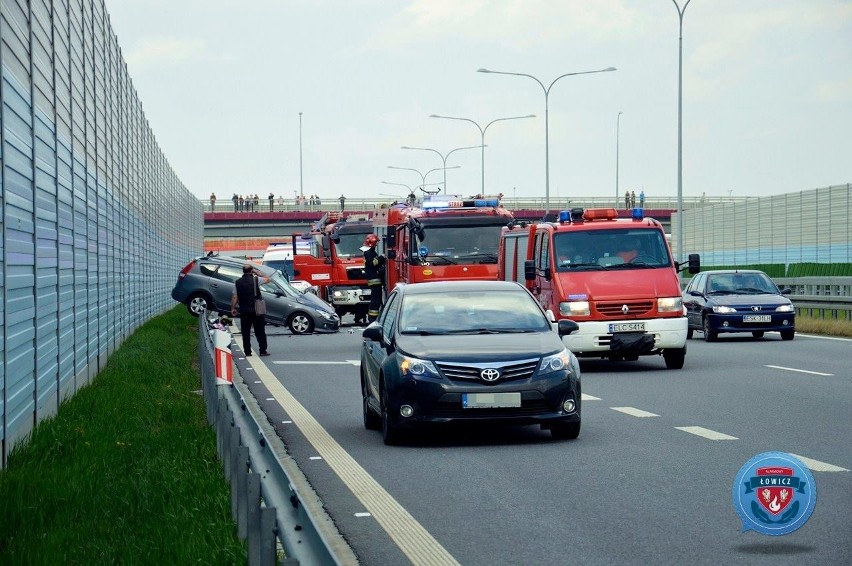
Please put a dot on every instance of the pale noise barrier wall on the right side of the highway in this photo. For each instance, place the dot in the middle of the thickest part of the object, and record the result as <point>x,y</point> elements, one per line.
<point>807,226</point>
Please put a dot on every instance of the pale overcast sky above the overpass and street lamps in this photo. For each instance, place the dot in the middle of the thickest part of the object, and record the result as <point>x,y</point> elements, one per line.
<point>767,94</point>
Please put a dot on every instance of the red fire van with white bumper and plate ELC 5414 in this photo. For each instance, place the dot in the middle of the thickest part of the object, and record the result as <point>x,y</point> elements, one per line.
<point>615,277</point>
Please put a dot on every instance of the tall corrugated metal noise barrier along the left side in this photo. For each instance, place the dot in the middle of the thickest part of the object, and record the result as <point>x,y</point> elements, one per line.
<point>95,225</point>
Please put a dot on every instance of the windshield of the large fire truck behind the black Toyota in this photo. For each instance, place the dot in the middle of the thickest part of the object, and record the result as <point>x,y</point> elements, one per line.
<point>458,244</point>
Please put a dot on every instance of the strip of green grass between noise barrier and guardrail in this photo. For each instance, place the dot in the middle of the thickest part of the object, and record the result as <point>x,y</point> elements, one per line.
<point>127,472</point>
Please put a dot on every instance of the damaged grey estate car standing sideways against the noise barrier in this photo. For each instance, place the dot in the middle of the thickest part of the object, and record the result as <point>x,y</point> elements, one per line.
<point>206,283</point>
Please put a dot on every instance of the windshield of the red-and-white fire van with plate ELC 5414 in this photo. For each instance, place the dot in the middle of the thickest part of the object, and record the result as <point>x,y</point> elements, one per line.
<point>610,249</point>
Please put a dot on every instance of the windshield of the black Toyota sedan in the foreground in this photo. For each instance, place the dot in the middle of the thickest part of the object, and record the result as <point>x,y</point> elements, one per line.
<point>471,312</point>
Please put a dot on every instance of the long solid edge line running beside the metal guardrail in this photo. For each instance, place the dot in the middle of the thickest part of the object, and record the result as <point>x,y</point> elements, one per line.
<point>410,536</point>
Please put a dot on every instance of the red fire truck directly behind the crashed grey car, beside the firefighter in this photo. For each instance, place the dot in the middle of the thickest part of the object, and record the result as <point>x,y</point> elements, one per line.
<point>328,258</point>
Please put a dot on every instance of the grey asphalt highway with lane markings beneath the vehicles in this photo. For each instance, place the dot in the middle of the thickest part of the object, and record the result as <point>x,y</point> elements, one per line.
<point>648,481</point>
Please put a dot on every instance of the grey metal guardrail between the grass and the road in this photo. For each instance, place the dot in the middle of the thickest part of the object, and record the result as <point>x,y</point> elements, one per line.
<point>272,502</point>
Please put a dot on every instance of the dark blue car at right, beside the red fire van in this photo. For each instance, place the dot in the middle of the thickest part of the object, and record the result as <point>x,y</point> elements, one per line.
<point>737,301</point>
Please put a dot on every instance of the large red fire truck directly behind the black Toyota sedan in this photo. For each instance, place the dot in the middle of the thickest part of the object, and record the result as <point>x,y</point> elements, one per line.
<point>443,238</point>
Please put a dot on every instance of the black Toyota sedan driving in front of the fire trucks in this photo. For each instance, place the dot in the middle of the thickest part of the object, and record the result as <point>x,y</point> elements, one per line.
<point>452,351</point>
